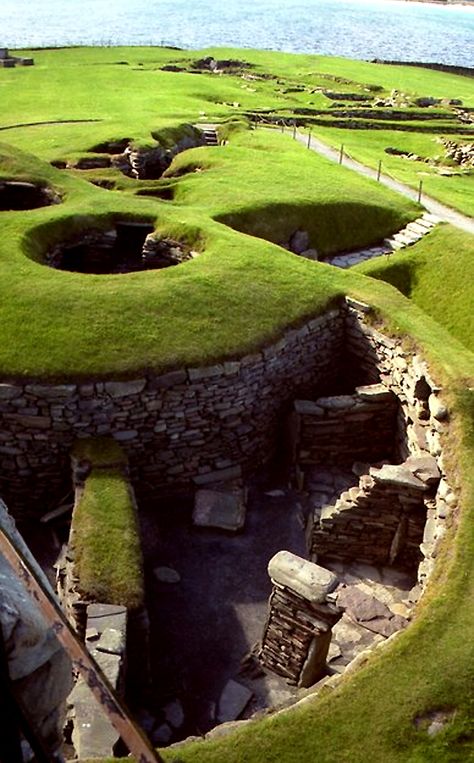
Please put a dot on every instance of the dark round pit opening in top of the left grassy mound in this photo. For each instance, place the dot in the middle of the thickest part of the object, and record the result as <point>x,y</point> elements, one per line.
<point>127,247</point>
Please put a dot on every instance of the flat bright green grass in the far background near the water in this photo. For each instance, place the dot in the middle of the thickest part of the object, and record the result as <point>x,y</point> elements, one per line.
<point>114,78</point>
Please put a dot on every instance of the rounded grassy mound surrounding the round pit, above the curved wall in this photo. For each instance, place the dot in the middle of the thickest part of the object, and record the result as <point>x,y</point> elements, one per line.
<point>237,295</point>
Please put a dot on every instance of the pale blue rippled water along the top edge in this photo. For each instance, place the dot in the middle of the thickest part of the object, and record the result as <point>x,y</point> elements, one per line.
<point>354,28</point>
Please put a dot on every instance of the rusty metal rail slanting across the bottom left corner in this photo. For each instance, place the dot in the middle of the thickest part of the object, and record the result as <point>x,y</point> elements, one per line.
<point>82,661</point>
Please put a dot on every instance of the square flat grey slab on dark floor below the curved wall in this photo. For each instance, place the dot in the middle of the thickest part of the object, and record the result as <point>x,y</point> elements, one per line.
<point>223,509</point>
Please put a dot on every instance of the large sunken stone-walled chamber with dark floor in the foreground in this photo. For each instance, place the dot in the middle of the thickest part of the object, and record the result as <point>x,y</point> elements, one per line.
<point>327,445</point>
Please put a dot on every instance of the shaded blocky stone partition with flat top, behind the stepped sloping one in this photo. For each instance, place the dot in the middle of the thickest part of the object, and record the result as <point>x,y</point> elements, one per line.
<point>346,428</point>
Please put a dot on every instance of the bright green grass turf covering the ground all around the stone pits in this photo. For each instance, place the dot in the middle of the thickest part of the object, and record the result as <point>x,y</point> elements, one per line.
<point>240,293</point>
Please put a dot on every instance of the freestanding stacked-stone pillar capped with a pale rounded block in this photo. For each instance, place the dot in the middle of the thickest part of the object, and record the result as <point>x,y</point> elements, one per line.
<point>298,629</point>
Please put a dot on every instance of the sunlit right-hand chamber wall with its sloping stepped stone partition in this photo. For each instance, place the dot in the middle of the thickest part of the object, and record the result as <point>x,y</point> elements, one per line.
<point>398,514</point>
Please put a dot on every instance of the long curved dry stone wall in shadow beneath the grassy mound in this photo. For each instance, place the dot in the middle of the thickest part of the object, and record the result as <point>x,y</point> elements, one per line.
<point>200,424</point>
